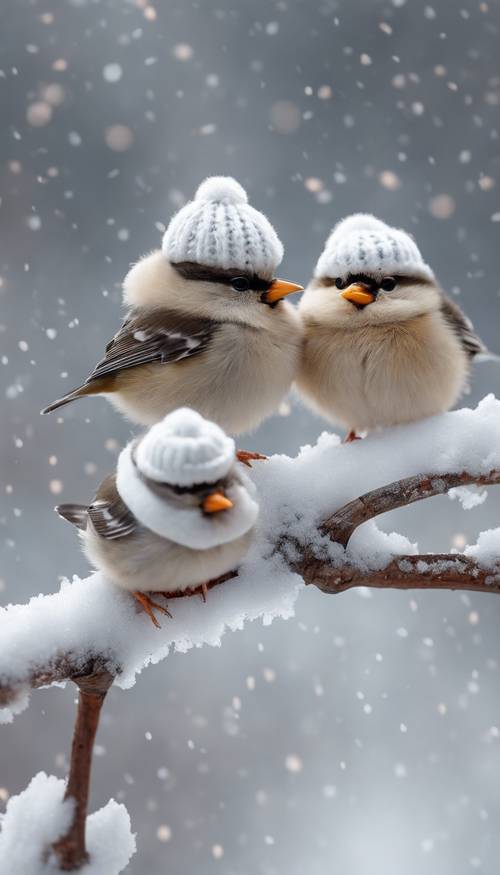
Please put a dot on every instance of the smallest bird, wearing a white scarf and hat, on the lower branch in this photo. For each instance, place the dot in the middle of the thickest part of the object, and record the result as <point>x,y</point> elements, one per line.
<point>177,513</point>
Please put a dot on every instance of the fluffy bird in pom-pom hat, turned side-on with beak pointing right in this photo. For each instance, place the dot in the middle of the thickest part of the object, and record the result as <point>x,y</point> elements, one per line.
<point>207,325</point>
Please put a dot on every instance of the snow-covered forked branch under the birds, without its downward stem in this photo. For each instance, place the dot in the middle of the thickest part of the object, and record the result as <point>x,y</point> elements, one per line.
<point>316,526</point>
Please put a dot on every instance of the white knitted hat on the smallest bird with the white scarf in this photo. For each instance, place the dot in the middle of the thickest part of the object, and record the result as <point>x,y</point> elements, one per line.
<point>184,449</point>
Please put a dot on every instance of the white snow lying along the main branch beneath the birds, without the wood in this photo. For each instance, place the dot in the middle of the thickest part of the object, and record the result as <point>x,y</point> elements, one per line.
<point>91,616</point>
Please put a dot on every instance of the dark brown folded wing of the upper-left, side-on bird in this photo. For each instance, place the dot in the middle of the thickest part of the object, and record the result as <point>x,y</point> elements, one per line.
<point>161,336</point>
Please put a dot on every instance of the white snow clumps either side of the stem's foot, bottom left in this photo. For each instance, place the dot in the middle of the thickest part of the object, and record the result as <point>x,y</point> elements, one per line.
<point>39,816</point>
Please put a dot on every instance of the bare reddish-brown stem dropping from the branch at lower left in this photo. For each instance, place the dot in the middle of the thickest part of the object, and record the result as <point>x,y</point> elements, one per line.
<point>70,850</point>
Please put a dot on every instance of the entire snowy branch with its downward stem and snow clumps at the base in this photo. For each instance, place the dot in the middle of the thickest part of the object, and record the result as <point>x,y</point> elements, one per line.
<point>316,527</point>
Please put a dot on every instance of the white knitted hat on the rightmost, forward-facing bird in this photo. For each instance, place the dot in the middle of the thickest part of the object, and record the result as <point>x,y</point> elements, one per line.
<point>363,244</point>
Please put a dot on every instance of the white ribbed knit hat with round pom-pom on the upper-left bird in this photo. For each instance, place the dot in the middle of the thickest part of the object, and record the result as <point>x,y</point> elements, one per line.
<point>219,228</point>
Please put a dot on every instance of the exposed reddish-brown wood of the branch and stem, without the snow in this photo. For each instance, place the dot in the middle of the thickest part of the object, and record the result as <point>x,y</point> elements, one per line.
<point>94,673</point>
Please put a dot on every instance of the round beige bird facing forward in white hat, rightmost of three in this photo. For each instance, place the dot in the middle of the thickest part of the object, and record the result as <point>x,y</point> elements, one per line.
<point>383,344</point>
